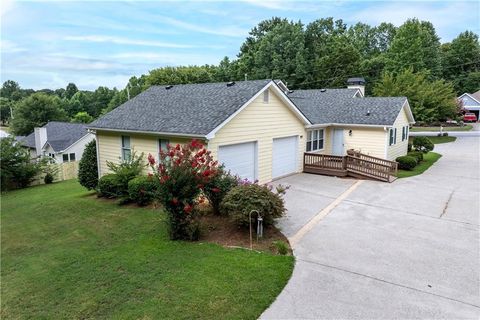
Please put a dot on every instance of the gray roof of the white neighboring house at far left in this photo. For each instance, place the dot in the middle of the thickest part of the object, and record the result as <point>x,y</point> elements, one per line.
<point>60,135</point>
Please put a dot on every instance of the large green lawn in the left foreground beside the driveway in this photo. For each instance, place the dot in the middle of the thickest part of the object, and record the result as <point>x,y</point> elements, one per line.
<point>66,254</point>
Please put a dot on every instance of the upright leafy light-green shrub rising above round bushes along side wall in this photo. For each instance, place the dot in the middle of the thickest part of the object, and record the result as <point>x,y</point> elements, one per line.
<point>126,171</point>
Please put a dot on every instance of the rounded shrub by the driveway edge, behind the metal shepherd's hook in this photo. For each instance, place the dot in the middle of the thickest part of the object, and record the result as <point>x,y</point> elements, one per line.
<point>242,199</point>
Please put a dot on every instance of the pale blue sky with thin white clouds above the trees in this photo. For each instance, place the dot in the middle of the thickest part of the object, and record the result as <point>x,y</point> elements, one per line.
<point>47,44</point>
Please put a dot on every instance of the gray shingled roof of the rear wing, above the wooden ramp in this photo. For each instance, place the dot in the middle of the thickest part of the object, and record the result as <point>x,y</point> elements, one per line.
<point>339,106</point>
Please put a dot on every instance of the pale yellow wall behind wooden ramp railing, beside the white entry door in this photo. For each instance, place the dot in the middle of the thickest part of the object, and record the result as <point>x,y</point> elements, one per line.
<point>370,141</point>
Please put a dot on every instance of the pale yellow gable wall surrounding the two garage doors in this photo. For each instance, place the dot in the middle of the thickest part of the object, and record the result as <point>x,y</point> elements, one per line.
<point>262,122</point>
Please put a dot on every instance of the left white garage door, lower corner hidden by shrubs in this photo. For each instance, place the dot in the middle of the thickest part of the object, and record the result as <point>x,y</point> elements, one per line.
<point>240,159</point>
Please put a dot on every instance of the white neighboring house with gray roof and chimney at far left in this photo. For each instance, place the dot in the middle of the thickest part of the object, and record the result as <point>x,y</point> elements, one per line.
<point>61,141</point>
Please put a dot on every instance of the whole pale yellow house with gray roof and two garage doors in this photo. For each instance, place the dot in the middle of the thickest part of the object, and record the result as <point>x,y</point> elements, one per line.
<point>258,129</point>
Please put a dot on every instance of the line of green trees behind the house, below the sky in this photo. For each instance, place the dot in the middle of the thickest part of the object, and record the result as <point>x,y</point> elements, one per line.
<point>408,60</point>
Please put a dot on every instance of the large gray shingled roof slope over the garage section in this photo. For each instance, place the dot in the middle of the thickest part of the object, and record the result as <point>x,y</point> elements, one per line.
<point>194,109</point>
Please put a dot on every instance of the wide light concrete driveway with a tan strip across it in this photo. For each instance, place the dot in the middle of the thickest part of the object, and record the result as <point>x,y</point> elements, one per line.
<point>368,249</point>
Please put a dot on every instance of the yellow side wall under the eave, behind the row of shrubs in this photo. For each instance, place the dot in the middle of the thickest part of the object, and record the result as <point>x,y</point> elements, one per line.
<point>110,146</point>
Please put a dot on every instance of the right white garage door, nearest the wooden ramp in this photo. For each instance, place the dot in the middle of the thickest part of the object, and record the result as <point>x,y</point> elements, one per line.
<point>284,156</point>
